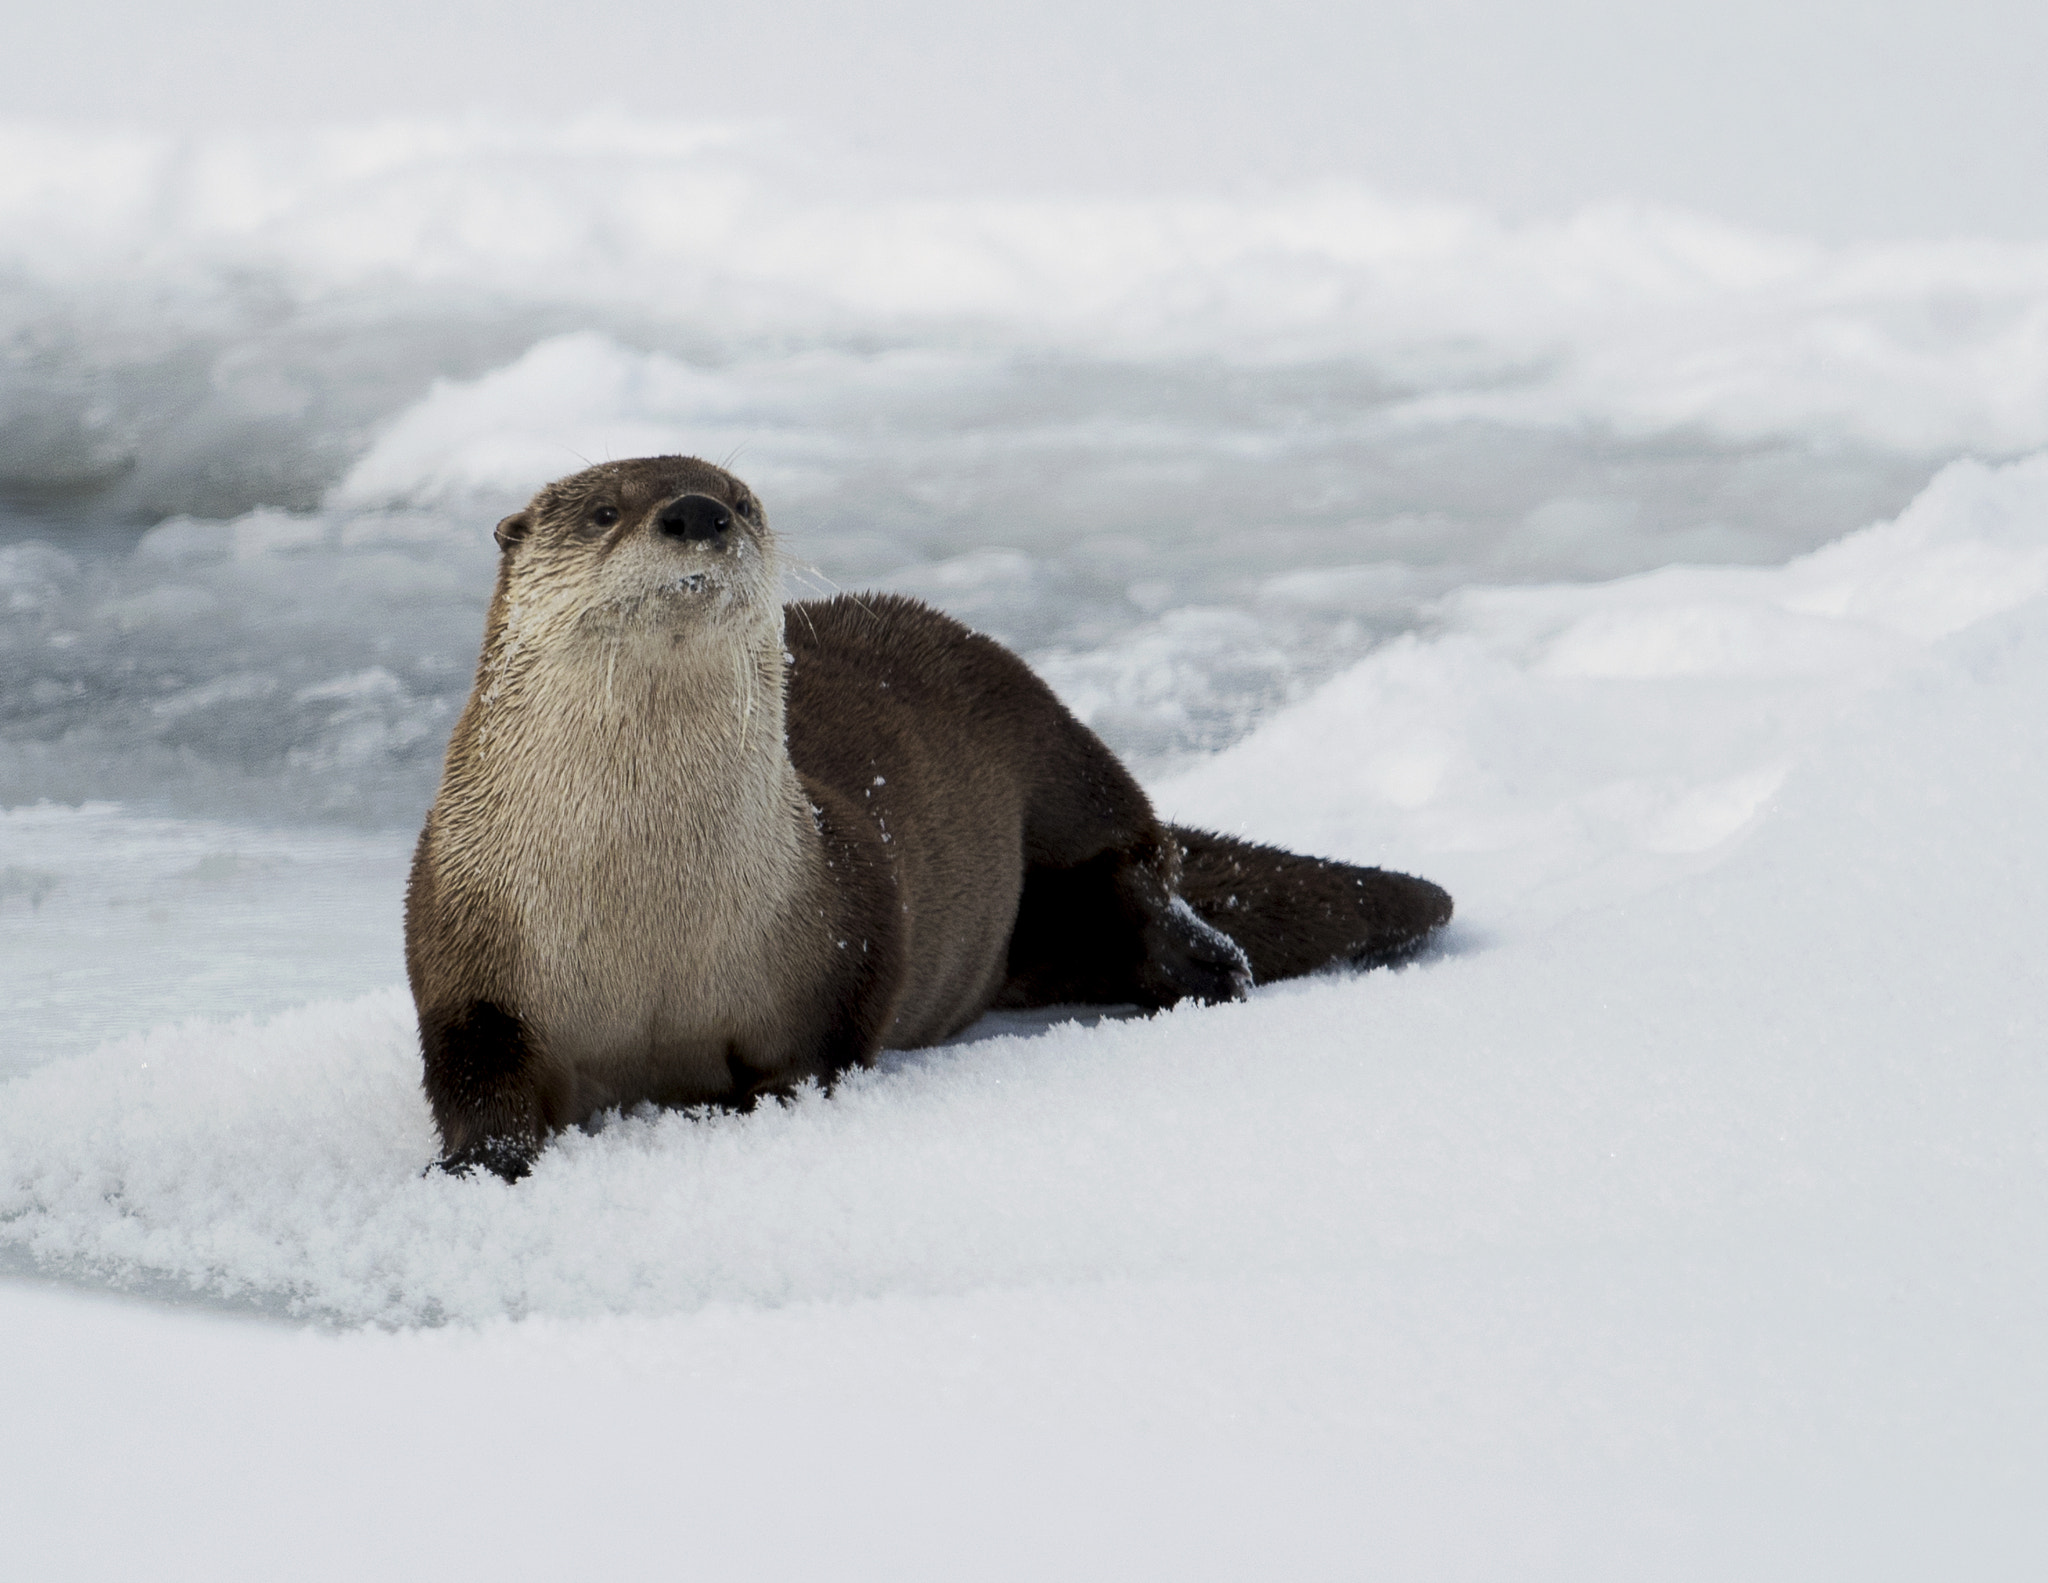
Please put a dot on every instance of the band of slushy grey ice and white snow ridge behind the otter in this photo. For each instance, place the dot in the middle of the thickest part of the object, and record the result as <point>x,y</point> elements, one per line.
<point>1189,456</point>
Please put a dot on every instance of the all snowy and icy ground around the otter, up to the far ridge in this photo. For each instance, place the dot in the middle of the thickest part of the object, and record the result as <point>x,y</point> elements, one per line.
<point>1684,1215</point>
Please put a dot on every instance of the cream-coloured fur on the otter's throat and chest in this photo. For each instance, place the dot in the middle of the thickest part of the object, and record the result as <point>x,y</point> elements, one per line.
<point>638,824</point>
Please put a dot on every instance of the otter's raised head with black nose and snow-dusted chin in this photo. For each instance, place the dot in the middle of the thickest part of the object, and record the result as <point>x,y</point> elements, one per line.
<point>656,550</point>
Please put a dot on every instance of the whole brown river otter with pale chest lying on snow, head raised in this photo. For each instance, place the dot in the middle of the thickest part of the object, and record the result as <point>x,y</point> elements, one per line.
<point>693,847</point>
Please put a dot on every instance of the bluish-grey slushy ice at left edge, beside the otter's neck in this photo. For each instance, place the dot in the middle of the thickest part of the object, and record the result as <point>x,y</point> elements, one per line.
<point>265,667</point>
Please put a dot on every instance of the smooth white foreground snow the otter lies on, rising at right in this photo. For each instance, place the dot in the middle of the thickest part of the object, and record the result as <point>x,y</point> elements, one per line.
<point>1682,1217</point>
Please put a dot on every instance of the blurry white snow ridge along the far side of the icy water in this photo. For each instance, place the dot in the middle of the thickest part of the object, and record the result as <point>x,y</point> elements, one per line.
<point>1637,320</point>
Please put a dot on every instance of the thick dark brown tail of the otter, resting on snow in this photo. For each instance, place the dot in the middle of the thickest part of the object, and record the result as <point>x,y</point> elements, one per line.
<point>1297,914</point>
